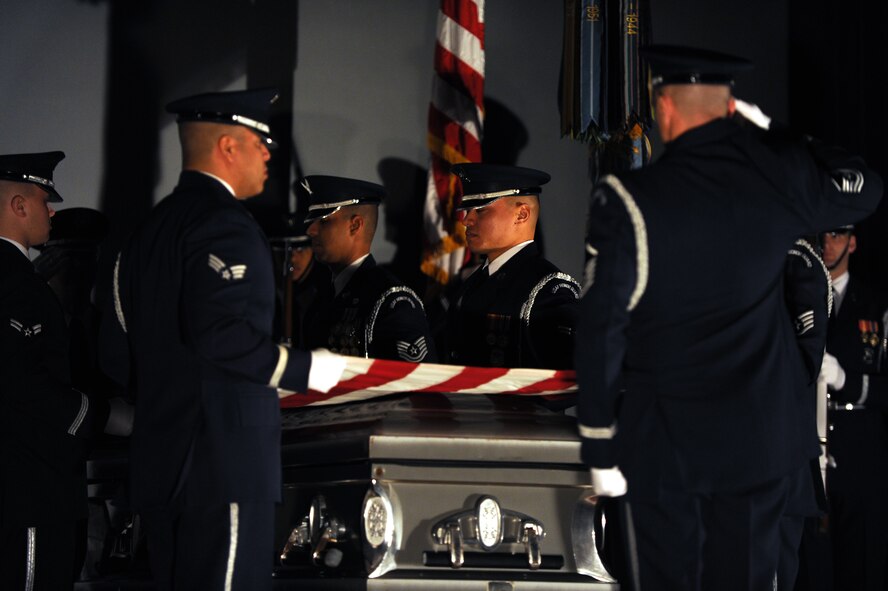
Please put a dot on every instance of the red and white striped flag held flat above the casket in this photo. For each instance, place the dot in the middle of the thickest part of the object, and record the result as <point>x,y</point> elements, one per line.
<point>366,379</point>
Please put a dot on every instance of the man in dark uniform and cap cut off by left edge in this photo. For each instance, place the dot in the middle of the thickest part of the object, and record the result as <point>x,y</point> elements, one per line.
<point>43,421</point>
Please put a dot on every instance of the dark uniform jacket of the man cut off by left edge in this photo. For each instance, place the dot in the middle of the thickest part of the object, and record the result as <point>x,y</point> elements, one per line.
<point>43,421</point>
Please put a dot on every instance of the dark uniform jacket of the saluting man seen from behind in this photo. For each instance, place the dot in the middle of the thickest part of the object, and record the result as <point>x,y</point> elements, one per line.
<point>685,307</point>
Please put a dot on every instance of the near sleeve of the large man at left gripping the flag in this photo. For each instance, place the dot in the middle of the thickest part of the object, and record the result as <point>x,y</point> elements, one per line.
<point>227,272</point>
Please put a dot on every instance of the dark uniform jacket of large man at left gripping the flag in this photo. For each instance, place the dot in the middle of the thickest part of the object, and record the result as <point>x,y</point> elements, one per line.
<point>194,290</point>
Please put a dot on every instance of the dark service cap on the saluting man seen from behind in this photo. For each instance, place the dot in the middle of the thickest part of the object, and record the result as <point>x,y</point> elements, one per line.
<point>676,64</point>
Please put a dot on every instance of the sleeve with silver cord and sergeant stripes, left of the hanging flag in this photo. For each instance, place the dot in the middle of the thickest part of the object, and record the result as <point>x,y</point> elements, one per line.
<point>397,328</point>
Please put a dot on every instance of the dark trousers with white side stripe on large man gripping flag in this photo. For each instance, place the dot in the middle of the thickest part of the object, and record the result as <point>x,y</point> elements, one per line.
<point>218,547</point>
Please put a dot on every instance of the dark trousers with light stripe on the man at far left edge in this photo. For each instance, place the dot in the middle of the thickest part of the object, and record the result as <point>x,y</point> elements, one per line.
<point>42,558</point>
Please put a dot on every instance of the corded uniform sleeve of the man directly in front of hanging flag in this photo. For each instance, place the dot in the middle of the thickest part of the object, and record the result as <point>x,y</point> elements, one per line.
<point>549,317</point>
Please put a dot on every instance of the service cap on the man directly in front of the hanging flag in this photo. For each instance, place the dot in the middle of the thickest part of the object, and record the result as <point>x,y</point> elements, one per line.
<point>482,184</point>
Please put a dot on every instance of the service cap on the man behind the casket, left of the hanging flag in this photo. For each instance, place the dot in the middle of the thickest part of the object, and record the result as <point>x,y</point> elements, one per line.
<point>328,194</point>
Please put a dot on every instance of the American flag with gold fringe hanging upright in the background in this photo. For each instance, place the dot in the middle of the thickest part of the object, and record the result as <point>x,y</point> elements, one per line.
<point>456,117</point>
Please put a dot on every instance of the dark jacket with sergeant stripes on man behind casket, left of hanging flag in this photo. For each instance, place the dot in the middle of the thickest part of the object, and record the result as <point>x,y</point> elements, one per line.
<point>375,315</point>
